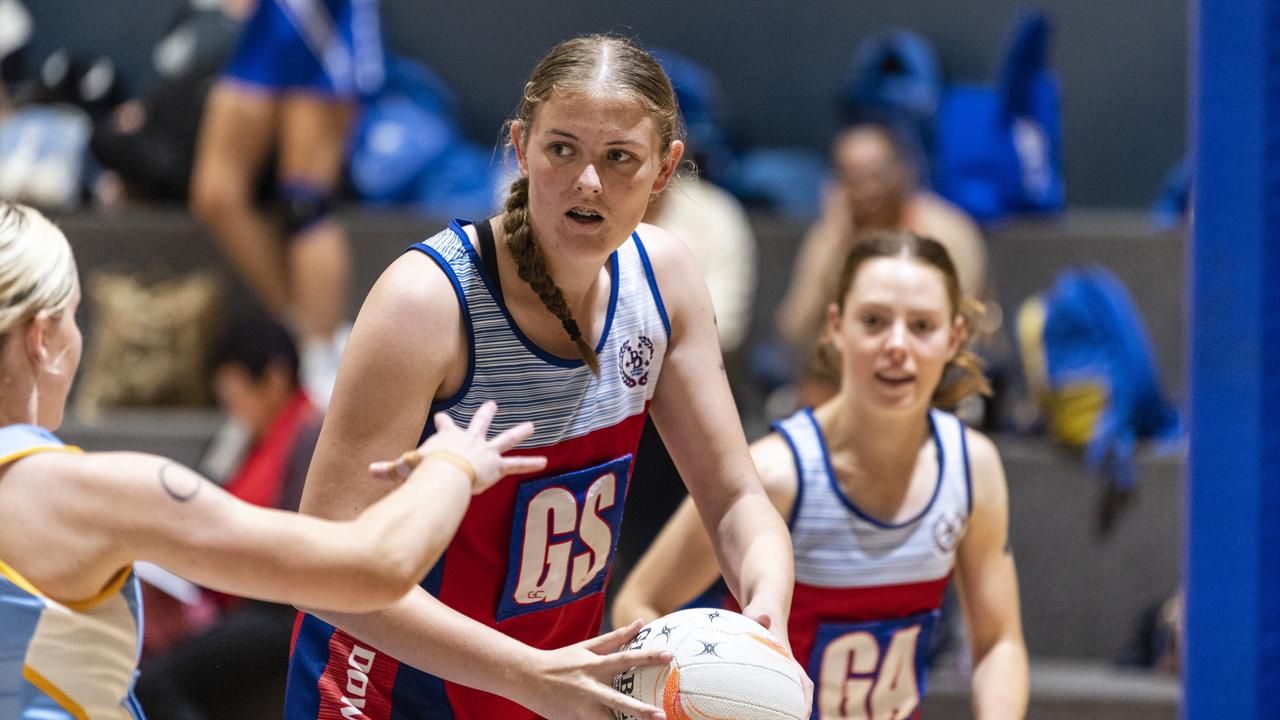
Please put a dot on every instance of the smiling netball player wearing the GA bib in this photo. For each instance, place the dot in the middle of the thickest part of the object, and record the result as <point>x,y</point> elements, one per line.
<point>886,495</point>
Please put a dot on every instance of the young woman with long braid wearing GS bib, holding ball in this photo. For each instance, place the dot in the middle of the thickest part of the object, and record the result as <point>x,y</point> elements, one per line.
<point>570,312</point>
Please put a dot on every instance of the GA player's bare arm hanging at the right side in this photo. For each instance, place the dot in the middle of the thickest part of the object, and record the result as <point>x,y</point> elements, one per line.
<point>989,593</point>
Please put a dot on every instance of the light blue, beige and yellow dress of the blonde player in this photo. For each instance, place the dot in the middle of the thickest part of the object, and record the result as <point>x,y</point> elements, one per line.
<point>66,662</point>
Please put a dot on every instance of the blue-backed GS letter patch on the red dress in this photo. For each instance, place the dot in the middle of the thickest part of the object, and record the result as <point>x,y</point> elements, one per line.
<point>564,536</point>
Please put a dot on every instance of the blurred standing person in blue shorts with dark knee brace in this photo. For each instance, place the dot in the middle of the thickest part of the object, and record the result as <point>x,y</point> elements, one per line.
<point>291,86</point>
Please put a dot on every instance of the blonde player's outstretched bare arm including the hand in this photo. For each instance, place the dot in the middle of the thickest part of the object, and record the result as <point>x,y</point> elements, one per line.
<point>125,507</point>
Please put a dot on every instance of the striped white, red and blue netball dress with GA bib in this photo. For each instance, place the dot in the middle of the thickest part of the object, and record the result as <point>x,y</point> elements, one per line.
<point>868,593</point>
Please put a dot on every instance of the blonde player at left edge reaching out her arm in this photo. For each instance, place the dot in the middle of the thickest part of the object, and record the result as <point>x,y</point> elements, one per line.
<point>72,523</point>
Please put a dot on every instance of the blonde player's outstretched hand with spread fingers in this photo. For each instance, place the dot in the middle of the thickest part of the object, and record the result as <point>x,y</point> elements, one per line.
<point>468,448</point>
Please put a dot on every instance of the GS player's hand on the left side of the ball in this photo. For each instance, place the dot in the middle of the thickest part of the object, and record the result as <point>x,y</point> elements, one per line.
<point>575,682</point>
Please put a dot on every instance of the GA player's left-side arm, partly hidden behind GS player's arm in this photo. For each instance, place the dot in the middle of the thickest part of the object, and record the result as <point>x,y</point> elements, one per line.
<point>682,562</point>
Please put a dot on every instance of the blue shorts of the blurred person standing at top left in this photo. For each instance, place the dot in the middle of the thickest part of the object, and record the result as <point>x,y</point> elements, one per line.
<point>326,47</point>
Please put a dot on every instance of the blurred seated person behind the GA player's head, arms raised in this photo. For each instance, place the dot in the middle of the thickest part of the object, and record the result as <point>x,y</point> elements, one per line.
<point>876,188</point>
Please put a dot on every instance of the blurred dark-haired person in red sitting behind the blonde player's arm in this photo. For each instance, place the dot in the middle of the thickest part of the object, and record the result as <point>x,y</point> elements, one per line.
<point>234,664</point>
